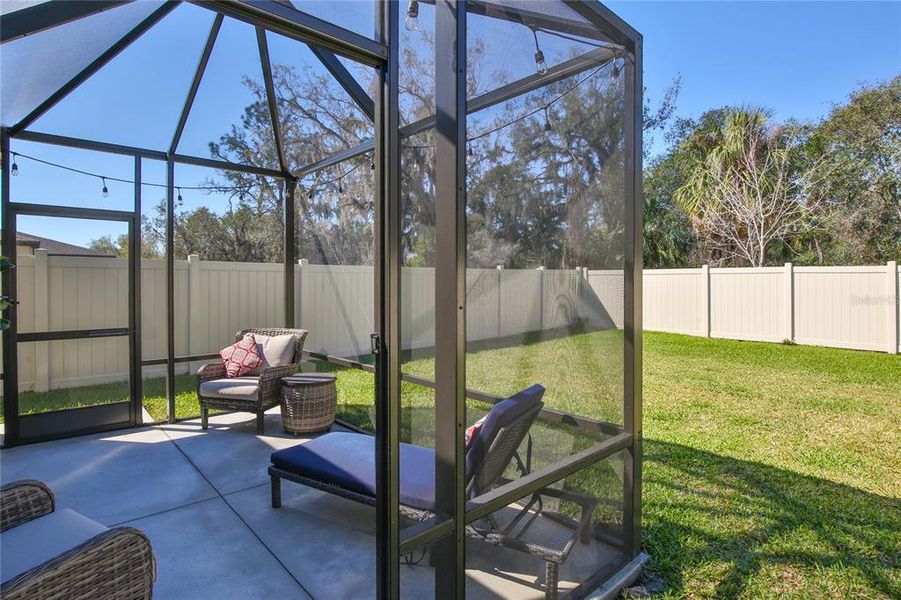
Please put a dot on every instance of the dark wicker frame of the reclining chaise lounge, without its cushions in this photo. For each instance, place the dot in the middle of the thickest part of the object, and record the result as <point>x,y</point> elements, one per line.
<point>504,450</point>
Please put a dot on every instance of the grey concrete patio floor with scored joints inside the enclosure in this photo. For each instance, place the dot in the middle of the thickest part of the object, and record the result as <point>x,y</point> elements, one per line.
<point>202,497</point>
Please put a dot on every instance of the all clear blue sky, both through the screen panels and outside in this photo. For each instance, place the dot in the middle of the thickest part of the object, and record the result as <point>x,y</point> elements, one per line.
<point>797,58</point>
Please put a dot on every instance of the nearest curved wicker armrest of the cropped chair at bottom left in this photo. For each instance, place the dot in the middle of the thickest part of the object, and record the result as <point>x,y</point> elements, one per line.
<point>118,563</point>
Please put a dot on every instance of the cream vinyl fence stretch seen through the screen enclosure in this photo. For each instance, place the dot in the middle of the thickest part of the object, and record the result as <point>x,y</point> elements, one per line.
<point>213,300</point>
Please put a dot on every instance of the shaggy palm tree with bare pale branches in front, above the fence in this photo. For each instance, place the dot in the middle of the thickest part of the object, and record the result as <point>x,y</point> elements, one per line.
<point>744,192</point>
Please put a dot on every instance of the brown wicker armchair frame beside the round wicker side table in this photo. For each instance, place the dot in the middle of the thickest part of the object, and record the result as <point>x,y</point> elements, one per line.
<point>254,394</point>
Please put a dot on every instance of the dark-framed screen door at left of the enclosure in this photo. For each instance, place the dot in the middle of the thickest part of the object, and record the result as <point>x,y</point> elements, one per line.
<point>73,349</point>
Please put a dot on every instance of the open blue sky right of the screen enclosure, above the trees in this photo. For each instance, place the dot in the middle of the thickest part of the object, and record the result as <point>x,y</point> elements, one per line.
<point>796,58</point>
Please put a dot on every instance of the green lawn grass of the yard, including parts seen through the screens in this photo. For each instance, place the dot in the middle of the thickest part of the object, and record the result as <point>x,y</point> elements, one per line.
<point>770,470</point>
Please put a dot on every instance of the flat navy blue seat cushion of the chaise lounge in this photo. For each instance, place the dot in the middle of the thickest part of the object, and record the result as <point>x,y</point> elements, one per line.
<point>347,460</point>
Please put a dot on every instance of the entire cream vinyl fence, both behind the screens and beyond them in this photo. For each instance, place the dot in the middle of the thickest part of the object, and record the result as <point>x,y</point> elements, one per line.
<point>845,307</point>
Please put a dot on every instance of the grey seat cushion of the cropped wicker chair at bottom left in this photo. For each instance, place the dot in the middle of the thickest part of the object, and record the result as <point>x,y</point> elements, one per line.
<point>33,543</point>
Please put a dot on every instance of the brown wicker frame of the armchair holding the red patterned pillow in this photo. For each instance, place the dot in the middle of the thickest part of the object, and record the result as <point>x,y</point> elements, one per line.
<point>269,393</point>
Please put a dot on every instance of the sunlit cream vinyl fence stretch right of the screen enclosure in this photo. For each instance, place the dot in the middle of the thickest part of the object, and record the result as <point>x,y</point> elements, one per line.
<point>840,307</point>
